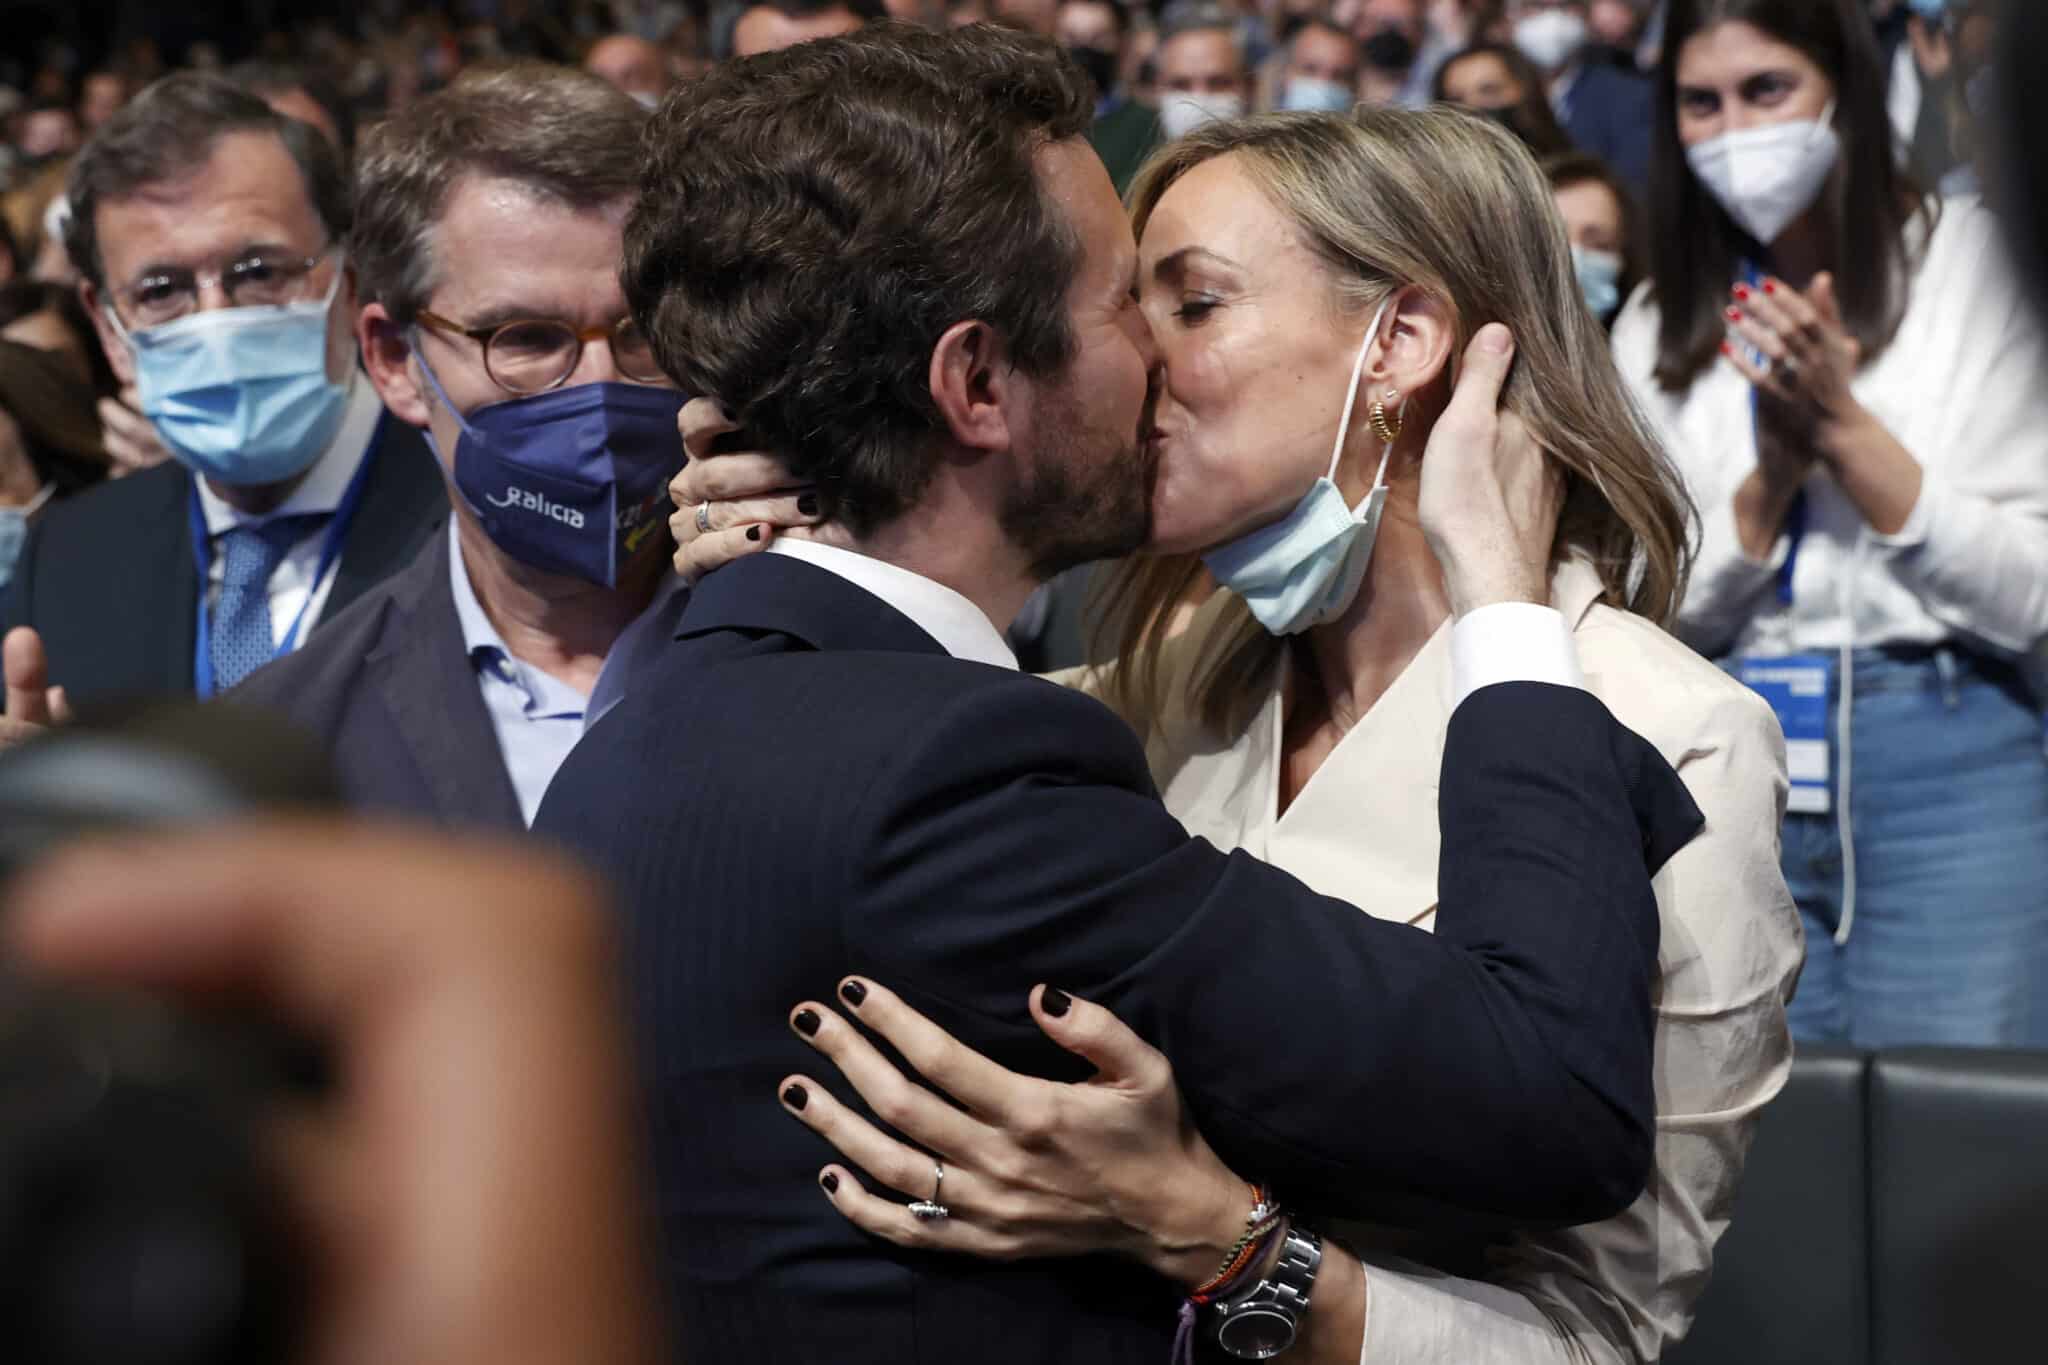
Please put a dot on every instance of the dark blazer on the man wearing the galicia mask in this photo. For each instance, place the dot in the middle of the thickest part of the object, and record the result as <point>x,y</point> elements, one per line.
<point>392,695</point>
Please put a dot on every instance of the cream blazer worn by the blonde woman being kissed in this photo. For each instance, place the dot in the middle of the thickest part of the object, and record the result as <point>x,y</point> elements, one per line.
<point>1365,830</point>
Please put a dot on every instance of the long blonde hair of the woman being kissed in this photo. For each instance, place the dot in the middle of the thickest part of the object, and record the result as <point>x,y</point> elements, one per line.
<point>1455,206</point>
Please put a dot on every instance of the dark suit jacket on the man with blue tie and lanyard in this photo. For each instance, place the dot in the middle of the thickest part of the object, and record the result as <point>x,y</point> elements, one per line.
<point>108,576</point>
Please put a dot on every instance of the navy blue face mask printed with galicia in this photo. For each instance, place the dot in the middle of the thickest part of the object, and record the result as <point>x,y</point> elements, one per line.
<point>572,480</point>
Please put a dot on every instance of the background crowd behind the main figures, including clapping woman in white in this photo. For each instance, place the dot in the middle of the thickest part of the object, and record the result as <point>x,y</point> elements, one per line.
<point>1691,228</point>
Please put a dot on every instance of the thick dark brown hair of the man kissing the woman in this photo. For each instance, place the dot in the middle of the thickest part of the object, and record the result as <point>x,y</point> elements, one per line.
<point>816,218</point>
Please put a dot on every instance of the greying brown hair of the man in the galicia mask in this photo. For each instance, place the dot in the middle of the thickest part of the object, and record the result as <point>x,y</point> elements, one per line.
<point>562,134</point>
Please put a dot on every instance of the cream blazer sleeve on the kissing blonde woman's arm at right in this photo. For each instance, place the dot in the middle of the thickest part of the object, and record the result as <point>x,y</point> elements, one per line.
<point>1623,1290</point>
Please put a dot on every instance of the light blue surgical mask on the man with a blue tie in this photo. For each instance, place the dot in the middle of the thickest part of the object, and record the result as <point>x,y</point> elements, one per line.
<point>243,396</point>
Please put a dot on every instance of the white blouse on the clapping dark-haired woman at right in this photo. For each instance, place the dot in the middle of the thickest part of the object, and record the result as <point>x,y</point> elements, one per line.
<point>1965,390</point>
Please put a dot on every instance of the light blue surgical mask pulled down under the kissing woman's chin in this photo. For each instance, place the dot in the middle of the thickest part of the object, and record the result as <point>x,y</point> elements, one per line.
<point>1306,570</point>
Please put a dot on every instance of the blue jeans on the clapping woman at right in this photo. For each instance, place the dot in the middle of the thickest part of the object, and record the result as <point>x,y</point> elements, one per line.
<point>1949,801</point>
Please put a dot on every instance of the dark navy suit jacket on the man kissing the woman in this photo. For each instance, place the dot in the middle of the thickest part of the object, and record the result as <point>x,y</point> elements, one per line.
<point>808,787</point>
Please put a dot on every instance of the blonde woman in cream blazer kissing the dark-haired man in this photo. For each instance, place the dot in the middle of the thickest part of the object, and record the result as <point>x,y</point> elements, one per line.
<point>1310,281</point>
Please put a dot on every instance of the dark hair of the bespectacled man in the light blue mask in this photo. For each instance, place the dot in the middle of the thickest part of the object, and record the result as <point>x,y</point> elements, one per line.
<point>167,134</point>
